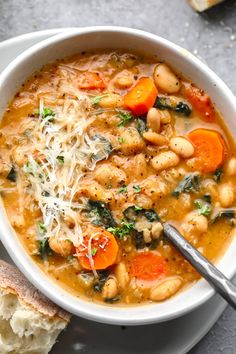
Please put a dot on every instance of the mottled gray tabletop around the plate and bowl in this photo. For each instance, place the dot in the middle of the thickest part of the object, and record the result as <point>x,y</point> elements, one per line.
<point>211,36</point>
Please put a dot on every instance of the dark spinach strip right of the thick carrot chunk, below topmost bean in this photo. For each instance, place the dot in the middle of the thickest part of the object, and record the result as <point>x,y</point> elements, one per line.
<point>181,107</point>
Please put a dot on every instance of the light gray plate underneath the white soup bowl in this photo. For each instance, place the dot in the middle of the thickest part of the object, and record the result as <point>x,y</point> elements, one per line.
<point>82,336</point>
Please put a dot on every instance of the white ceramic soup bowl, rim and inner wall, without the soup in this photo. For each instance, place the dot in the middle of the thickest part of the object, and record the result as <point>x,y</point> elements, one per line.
<point>131,40</point>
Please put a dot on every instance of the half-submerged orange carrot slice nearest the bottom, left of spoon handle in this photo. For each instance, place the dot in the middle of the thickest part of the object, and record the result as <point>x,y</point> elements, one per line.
<point>148,266</point>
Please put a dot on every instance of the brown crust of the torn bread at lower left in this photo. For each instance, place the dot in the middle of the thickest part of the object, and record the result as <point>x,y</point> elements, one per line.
<point>13,281</point>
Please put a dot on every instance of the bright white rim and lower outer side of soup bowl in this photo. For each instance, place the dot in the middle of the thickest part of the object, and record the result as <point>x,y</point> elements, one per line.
<point>153,313</point>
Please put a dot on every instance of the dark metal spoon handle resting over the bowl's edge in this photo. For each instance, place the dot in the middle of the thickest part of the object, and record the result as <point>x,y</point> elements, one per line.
<point>219,282</point>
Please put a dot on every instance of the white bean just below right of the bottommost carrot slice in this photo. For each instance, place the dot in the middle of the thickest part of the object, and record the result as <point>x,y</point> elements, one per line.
<point>165,289</point>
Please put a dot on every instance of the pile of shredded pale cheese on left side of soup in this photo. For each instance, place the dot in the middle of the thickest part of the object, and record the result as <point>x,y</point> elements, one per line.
<point>60,154</point>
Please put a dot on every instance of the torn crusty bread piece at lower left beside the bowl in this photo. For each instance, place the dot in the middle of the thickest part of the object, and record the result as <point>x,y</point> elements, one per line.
<point>29,322</point>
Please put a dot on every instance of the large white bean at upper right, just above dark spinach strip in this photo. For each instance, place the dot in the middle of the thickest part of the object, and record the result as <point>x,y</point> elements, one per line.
<point>165,79</point>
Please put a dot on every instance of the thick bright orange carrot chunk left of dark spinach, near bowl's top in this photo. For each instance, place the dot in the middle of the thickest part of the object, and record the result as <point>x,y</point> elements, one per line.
<point>142,96</point>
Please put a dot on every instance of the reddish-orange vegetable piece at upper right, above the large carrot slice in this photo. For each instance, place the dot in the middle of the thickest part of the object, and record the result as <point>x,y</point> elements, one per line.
<point>201,102</point>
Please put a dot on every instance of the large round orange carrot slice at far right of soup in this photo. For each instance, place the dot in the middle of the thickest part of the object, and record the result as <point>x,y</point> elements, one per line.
<point>209,149</point>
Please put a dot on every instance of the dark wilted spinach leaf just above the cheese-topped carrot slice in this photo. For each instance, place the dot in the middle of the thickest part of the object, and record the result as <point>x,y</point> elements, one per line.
<point>100,214</point>
